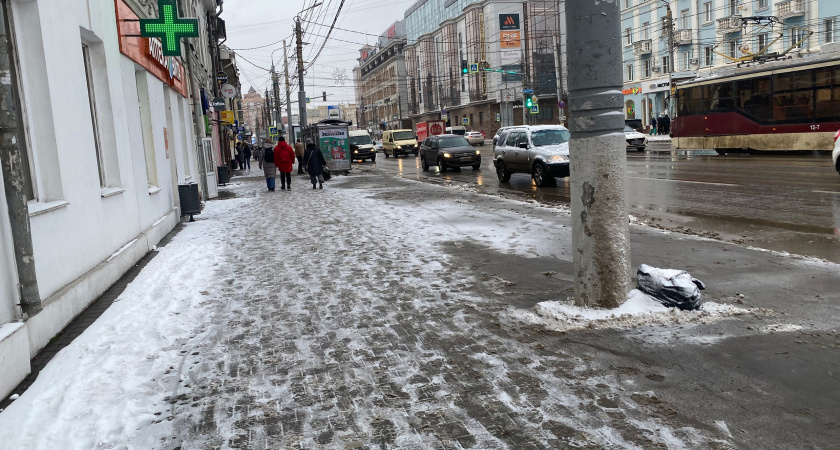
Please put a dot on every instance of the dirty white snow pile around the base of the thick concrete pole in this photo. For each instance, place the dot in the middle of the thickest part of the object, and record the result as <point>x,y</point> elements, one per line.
<point>639,310</point>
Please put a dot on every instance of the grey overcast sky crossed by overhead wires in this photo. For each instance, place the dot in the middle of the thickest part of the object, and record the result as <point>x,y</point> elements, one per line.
<point>259,23</point>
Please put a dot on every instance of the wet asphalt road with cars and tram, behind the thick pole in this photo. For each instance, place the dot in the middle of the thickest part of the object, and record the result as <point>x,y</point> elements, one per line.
<point>787,202</point>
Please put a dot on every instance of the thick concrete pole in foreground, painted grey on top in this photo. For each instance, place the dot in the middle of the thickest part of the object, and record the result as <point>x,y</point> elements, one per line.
<point>600,230</point>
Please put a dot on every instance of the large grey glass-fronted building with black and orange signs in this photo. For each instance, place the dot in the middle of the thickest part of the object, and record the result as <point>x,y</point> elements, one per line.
<point>506,47</point>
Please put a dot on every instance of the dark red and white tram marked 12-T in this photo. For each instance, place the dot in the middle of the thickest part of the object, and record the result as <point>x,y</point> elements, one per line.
<point>785,107</point>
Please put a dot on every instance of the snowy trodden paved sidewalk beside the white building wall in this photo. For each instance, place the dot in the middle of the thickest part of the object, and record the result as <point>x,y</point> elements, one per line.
<point>377,312</point>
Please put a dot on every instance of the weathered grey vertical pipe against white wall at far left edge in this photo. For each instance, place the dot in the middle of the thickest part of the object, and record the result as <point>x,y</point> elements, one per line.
<point>11,160</point>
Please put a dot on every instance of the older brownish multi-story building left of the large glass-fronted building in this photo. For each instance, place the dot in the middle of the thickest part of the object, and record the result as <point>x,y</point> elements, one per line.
<point>381,87</point>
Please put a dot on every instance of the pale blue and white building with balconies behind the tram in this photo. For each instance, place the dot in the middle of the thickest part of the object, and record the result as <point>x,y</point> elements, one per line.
<point>709,37</point>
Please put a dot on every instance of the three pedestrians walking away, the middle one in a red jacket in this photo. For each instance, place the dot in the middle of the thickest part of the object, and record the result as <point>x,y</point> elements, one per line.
<point>281,157</point>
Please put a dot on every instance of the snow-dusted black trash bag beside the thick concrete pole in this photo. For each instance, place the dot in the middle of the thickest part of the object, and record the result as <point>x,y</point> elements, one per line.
<point>672,288</point>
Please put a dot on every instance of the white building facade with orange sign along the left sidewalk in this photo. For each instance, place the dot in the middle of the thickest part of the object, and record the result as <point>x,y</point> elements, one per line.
<point>110,134</point>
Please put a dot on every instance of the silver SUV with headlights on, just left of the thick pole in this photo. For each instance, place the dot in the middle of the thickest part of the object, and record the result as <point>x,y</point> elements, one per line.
<point>541,151</point>
